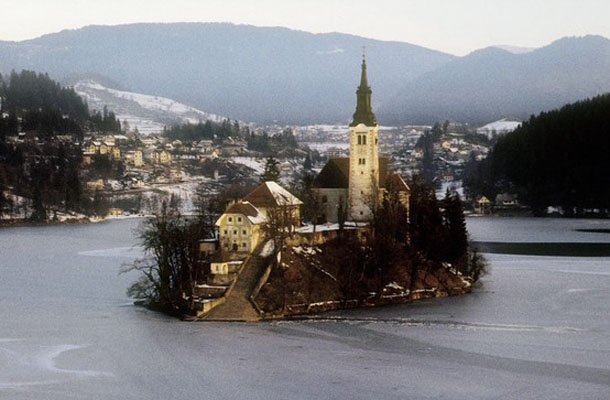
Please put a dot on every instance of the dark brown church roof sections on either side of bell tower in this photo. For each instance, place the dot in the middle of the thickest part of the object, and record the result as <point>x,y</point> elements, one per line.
<point>335,175</point>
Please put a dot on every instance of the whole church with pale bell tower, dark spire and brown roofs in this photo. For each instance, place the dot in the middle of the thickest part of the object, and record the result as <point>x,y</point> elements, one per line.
<point>353,185</point>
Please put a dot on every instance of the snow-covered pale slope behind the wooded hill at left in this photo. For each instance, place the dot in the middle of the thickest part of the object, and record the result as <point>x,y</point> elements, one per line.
<point>148,113</point>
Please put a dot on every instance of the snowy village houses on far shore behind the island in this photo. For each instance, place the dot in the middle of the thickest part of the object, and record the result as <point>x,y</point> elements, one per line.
<point>129,172</point>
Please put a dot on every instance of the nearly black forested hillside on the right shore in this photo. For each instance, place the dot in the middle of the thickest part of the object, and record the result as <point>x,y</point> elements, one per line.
<point>557,158</point>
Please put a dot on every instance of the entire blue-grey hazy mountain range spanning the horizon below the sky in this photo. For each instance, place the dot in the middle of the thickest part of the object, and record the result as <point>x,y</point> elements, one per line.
<point>279,75</point>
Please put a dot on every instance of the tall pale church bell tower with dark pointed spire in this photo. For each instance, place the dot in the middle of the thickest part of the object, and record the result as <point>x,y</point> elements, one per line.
<point>363,155</point>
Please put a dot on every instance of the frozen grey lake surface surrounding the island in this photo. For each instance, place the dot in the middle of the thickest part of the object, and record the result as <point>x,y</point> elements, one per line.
<point>538,329</point>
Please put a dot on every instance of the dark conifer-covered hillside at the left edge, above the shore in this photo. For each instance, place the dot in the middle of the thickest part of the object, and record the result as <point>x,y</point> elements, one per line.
<point>39,174</point>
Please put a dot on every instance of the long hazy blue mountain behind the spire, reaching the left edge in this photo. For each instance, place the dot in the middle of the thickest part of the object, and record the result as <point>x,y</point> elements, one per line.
<point>245,72</point>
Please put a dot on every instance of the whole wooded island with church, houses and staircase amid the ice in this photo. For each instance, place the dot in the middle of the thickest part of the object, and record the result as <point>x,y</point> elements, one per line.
<point>371,238</point>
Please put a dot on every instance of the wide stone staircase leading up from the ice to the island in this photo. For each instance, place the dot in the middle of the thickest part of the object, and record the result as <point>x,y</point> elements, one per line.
<point>237,306</point>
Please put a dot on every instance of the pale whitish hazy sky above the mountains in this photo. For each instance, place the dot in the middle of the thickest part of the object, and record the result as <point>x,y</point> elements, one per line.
<point>454,26</point>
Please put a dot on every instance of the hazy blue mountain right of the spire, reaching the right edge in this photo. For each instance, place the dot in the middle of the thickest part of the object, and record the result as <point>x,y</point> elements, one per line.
<point>490,84</point>
